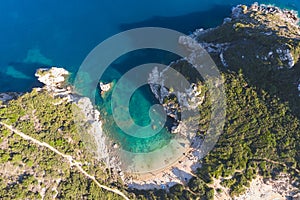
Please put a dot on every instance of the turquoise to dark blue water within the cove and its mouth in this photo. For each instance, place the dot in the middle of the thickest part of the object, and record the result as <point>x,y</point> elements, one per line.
<point>139,106</point>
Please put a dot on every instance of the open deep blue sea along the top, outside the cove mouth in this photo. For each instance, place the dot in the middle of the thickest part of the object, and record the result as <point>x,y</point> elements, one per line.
<point>62,33</point>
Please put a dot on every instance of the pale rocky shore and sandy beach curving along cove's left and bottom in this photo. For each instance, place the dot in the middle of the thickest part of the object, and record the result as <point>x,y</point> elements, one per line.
<point>178,172</point>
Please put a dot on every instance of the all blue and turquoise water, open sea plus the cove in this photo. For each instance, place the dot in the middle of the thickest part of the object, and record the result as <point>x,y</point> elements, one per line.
<point>39,33</point>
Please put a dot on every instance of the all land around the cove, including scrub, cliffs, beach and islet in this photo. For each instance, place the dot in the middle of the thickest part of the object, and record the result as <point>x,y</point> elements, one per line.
<point>258,51</point>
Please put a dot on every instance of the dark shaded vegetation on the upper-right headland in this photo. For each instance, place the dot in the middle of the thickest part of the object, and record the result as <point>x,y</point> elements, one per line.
<point>255,44</point>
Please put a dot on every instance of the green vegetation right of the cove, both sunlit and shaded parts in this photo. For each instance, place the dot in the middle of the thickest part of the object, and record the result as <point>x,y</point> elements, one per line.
<point>262,129</point>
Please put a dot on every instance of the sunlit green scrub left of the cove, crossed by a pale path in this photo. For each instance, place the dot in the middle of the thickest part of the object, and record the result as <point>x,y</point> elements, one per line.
<point>27,168</point>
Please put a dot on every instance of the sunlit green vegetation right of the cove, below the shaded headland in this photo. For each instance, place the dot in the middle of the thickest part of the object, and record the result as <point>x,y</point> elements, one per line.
<point>261,136</point>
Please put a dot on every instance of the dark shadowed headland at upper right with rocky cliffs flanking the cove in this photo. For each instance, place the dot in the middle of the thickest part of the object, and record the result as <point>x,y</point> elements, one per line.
<point>262,41</point>
